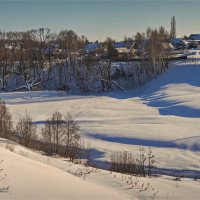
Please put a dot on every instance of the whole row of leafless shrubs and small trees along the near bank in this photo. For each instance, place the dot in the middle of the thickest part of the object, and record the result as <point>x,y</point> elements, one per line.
<point>60,136</point>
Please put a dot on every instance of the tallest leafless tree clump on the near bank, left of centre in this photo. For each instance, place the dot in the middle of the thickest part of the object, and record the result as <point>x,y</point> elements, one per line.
<point>62,135</point>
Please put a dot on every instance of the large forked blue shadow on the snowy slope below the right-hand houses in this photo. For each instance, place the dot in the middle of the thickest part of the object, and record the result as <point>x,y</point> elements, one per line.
<point>148,93</point>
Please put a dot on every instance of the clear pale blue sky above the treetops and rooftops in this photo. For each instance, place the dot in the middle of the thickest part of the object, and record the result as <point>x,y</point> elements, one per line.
<point>98,19</point>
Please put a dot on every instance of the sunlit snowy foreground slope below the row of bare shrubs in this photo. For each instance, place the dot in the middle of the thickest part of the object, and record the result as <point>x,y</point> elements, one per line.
<point>30,175</point>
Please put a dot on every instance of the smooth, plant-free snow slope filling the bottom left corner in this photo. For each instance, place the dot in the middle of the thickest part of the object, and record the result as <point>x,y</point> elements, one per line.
<point>29,179</point>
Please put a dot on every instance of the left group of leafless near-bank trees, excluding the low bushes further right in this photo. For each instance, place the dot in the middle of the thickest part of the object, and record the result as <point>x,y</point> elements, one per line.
<point>60,135</point>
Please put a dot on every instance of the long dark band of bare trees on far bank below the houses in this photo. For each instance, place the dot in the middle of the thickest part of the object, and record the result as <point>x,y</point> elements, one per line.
<point>42,60</point>
